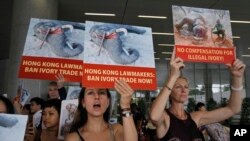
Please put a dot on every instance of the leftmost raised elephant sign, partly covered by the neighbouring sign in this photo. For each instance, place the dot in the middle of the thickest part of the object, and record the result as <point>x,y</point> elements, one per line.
<point>53,47</point>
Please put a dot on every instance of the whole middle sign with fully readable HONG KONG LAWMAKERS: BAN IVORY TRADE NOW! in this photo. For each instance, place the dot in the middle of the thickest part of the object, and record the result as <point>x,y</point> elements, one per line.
<point>115,51</point>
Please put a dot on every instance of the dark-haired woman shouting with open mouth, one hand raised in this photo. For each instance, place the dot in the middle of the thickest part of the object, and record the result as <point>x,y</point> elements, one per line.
<point>91,120</point>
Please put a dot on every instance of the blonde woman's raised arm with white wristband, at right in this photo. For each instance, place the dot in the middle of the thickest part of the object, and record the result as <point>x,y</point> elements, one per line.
<point>235,100</point>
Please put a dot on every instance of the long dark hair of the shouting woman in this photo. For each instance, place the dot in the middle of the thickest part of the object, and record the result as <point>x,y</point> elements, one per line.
<point>81,117</point>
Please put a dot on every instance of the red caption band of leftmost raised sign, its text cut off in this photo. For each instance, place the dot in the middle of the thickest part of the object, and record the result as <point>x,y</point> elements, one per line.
<point>47,68</point>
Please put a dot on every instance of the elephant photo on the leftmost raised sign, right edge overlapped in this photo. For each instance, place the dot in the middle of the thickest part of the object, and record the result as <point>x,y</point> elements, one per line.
<point>53,38</point>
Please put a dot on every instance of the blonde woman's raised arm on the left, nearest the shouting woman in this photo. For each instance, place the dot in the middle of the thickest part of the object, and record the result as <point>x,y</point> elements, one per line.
<point>158,106</point>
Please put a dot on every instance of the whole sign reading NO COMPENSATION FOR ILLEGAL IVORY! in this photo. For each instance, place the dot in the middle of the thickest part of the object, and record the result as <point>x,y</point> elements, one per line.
<point>203,35</point>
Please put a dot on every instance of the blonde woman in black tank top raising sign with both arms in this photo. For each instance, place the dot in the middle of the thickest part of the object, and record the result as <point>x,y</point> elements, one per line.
<point>175,123</point>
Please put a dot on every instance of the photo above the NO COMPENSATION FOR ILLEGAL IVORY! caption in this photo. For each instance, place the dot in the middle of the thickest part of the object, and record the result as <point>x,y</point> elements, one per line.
<point>202,27</point>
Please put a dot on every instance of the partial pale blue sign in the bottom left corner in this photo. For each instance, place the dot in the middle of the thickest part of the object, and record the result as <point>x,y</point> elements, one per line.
<point>12,123</point>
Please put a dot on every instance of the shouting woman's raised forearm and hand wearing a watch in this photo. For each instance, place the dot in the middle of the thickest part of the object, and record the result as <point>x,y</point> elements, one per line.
<point>129,132</point>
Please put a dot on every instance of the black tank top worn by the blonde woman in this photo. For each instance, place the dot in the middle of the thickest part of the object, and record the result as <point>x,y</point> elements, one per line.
<point>182,130</point>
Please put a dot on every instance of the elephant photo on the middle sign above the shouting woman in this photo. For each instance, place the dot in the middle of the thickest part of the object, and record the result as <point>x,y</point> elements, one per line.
<point>117,44</point>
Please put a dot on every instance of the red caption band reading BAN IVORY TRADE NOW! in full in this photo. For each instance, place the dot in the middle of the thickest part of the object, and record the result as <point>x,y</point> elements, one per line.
<point>103,76</point>
